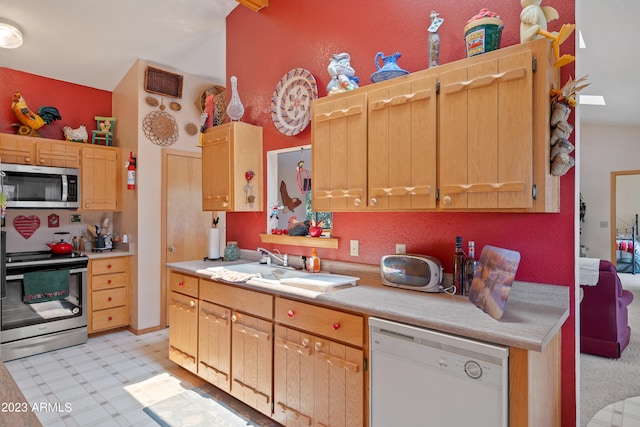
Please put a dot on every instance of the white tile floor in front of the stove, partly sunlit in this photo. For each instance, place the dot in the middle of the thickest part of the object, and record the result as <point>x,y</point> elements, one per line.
<point>103,383</point>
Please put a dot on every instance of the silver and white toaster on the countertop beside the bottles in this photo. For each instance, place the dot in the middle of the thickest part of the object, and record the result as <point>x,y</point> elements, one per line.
<point>416,272</point>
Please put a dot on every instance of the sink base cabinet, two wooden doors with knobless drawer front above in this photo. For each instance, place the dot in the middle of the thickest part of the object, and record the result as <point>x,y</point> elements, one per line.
<point>250,342</point>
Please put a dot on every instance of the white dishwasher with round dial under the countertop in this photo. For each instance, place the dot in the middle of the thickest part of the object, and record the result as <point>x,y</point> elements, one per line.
<point>426,378</point>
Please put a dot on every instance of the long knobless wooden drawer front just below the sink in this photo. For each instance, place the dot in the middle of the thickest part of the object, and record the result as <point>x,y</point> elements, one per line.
<point>244,300</point>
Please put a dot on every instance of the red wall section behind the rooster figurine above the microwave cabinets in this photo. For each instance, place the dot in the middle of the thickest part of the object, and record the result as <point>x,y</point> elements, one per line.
<point>77,104</point>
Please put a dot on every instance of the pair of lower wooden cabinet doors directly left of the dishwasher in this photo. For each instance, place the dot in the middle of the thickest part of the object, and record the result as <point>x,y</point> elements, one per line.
<point>316,381</point>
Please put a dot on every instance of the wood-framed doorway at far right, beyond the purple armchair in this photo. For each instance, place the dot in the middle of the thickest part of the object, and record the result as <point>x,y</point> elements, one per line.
<point>624,206</point>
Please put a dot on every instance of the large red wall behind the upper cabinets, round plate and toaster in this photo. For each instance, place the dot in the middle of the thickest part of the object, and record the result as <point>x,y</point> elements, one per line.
<point>262,47</point>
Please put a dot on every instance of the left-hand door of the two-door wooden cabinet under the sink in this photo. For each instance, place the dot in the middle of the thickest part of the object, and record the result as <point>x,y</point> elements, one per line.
<point>214,345</point>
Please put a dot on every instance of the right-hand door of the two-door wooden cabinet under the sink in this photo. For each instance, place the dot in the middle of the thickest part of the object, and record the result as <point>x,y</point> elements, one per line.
<point>251,357</point>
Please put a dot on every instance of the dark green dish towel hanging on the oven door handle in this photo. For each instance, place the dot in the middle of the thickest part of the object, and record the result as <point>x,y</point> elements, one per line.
<point>42,286</point>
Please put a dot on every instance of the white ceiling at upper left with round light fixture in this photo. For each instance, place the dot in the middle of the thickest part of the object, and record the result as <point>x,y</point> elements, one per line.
<point>95,42</point>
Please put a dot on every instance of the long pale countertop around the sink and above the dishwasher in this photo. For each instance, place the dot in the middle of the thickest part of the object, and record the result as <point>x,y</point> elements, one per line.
<point>533,313</point>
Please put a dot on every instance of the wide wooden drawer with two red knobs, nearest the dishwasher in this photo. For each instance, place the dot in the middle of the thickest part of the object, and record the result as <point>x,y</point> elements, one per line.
<point>327,322</point>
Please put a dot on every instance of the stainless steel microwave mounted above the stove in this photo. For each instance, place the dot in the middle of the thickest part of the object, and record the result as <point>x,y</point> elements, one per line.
<point>44,187</point>
